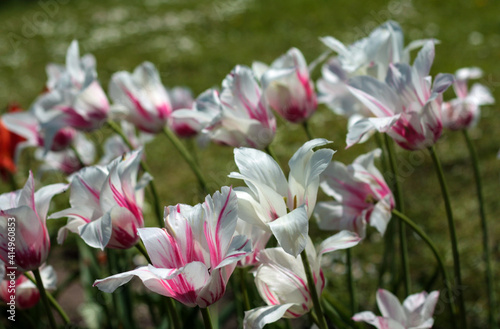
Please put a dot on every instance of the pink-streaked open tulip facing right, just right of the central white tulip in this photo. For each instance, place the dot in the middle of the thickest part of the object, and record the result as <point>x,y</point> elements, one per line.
<point>361,196</point>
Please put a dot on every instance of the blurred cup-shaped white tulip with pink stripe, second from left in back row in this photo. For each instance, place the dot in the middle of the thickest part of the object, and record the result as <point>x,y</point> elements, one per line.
<point>140,98</point>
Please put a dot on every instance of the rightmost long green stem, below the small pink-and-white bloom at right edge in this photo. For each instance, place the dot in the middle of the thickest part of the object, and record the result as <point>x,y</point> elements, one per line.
<point>484,228</point>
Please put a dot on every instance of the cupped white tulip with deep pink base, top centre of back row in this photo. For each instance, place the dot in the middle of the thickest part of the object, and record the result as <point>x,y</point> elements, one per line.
<point>288,88</point>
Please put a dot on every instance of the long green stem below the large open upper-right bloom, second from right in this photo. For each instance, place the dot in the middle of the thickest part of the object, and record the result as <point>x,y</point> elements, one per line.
<point>453,235</point>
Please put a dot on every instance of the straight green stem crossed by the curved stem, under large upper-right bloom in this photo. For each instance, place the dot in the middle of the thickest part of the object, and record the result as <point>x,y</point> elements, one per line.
<point>391,154</point>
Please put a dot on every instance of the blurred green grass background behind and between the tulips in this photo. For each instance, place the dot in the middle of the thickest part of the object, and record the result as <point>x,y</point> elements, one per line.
<point>196,43</point>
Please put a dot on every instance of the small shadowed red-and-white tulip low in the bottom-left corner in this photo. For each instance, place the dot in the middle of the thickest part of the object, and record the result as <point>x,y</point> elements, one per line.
<point>26,292</point>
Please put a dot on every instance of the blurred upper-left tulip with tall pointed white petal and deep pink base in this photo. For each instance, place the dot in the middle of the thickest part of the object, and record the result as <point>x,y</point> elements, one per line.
<point>74,97</point>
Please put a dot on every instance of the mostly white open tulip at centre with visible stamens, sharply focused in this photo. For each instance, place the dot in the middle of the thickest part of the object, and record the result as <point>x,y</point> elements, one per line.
<point>275,204</point>
